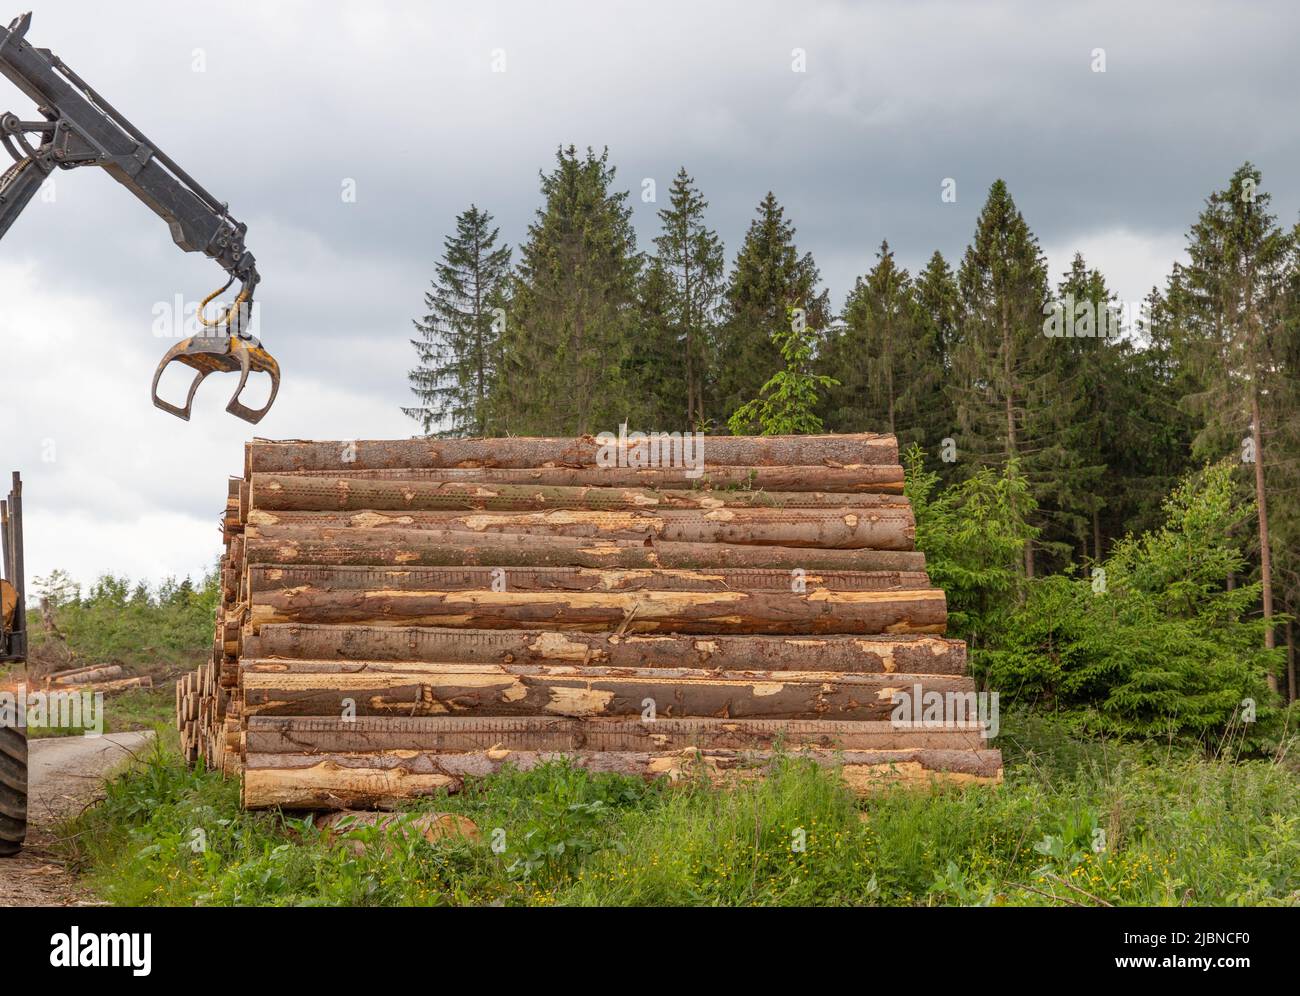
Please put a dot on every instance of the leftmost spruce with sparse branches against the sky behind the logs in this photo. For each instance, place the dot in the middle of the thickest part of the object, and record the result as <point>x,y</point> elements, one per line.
<point>458,339</point>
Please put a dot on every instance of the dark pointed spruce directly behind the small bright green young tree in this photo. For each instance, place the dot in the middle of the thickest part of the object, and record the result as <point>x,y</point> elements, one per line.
<point>770,279</point>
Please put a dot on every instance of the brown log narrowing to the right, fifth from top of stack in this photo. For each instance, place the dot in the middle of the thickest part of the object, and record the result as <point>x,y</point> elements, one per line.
<point>440,548</point>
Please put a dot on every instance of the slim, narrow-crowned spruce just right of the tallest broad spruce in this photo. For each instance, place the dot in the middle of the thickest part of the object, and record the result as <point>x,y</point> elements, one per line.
<point>691,258</point>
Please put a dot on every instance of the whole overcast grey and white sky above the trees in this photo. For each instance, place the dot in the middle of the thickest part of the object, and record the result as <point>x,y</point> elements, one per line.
<point>276,106</point>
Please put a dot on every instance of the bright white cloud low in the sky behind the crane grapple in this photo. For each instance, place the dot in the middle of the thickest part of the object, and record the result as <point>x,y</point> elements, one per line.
<point>112,486</point>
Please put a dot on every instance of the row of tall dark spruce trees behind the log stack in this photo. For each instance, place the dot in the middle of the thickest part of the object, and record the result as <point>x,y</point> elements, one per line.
<point>989,363</point>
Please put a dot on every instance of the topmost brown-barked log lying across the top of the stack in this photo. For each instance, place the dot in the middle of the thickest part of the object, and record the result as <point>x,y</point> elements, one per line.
<point>344,456</point>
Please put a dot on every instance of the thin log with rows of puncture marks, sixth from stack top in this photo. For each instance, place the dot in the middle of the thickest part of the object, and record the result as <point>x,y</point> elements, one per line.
<point>271,578</point>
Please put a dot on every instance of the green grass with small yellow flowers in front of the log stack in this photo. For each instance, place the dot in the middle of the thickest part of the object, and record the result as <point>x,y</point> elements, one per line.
<point>1077,822</point>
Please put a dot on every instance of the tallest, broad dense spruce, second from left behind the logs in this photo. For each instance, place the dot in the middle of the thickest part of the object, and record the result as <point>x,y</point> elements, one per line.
<point>574,306</point>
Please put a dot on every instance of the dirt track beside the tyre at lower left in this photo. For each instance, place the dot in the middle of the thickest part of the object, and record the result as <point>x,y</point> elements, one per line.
<point>64,776</point>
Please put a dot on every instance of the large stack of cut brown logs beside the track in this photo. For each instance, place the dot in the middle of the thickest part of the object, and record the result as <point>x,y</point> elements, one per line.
<point>398,617</point>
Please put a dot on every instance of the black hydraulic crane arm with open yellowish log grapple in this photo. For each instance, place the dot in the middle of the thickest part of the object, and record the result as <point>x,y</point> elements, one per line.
<point>83,129</point>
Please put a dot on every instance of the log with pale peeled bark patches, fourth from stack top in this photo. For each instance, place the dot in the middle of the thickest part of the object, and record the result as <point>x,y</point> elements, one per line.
<point>822,529</point>
